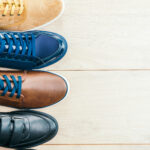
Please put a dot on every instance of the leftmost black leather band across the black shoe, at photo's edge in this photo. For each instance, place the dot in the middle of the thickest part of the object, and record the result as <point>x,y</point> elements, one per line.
<point>5,130</point>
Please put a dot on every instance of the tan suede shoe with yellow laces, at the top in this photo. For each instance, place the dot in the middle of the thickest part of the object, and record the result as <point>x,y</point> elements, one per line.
<point>21,15</point>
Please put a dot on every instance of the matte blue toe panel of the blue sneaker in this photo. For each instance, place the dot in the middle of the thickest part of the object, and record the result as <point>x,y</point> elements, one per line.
<point>45,46</point>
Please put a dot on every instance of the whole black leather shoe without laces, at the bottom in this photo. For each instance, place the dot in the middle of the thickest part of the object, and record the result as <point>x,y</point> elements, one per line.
<point>25,129</point>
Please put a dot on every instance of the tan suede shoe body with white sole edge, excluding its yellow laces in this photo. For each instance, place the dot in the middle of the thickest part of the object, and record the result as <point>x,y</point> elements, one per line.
<point>37,13</point>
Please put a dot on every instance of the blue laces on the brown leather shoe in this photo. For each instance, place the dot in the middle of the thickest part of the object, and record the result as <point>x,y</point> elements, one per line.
<point>8,88</point>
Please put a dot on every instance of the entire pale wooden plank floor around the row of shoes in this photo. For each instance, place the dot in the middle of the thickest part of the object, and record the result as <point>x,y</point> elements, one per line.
<point>108,67</point>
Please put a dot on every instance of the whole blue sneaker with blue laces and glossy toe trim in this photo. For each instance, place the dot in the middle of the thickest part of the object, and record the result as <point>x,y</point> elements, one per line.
<point>31,49</point>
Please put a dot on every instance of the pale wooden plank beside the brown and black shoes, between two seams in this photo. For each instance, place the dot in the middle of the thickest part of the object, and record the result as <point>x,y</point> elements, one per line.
<point>103,108</point>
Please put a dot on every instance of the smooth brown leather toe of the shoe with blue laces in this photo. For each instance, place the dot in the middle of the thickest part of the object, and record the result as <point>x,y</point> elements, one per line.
<point>47,89</point>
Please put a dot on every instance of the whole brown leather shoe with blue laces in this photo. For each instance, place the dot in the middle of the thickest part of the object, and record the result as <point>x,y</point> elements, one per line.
<point>33,89</point>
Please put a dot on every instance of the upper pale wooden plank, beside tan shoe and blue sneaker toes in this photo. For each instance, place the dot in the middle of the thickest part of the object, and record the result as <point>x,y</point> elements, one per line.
<point>105,34</point>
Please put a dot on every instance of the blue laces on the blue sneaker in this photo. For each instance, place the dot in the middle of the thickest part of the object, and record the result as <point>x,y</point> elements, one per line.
<point>18,44</point>
